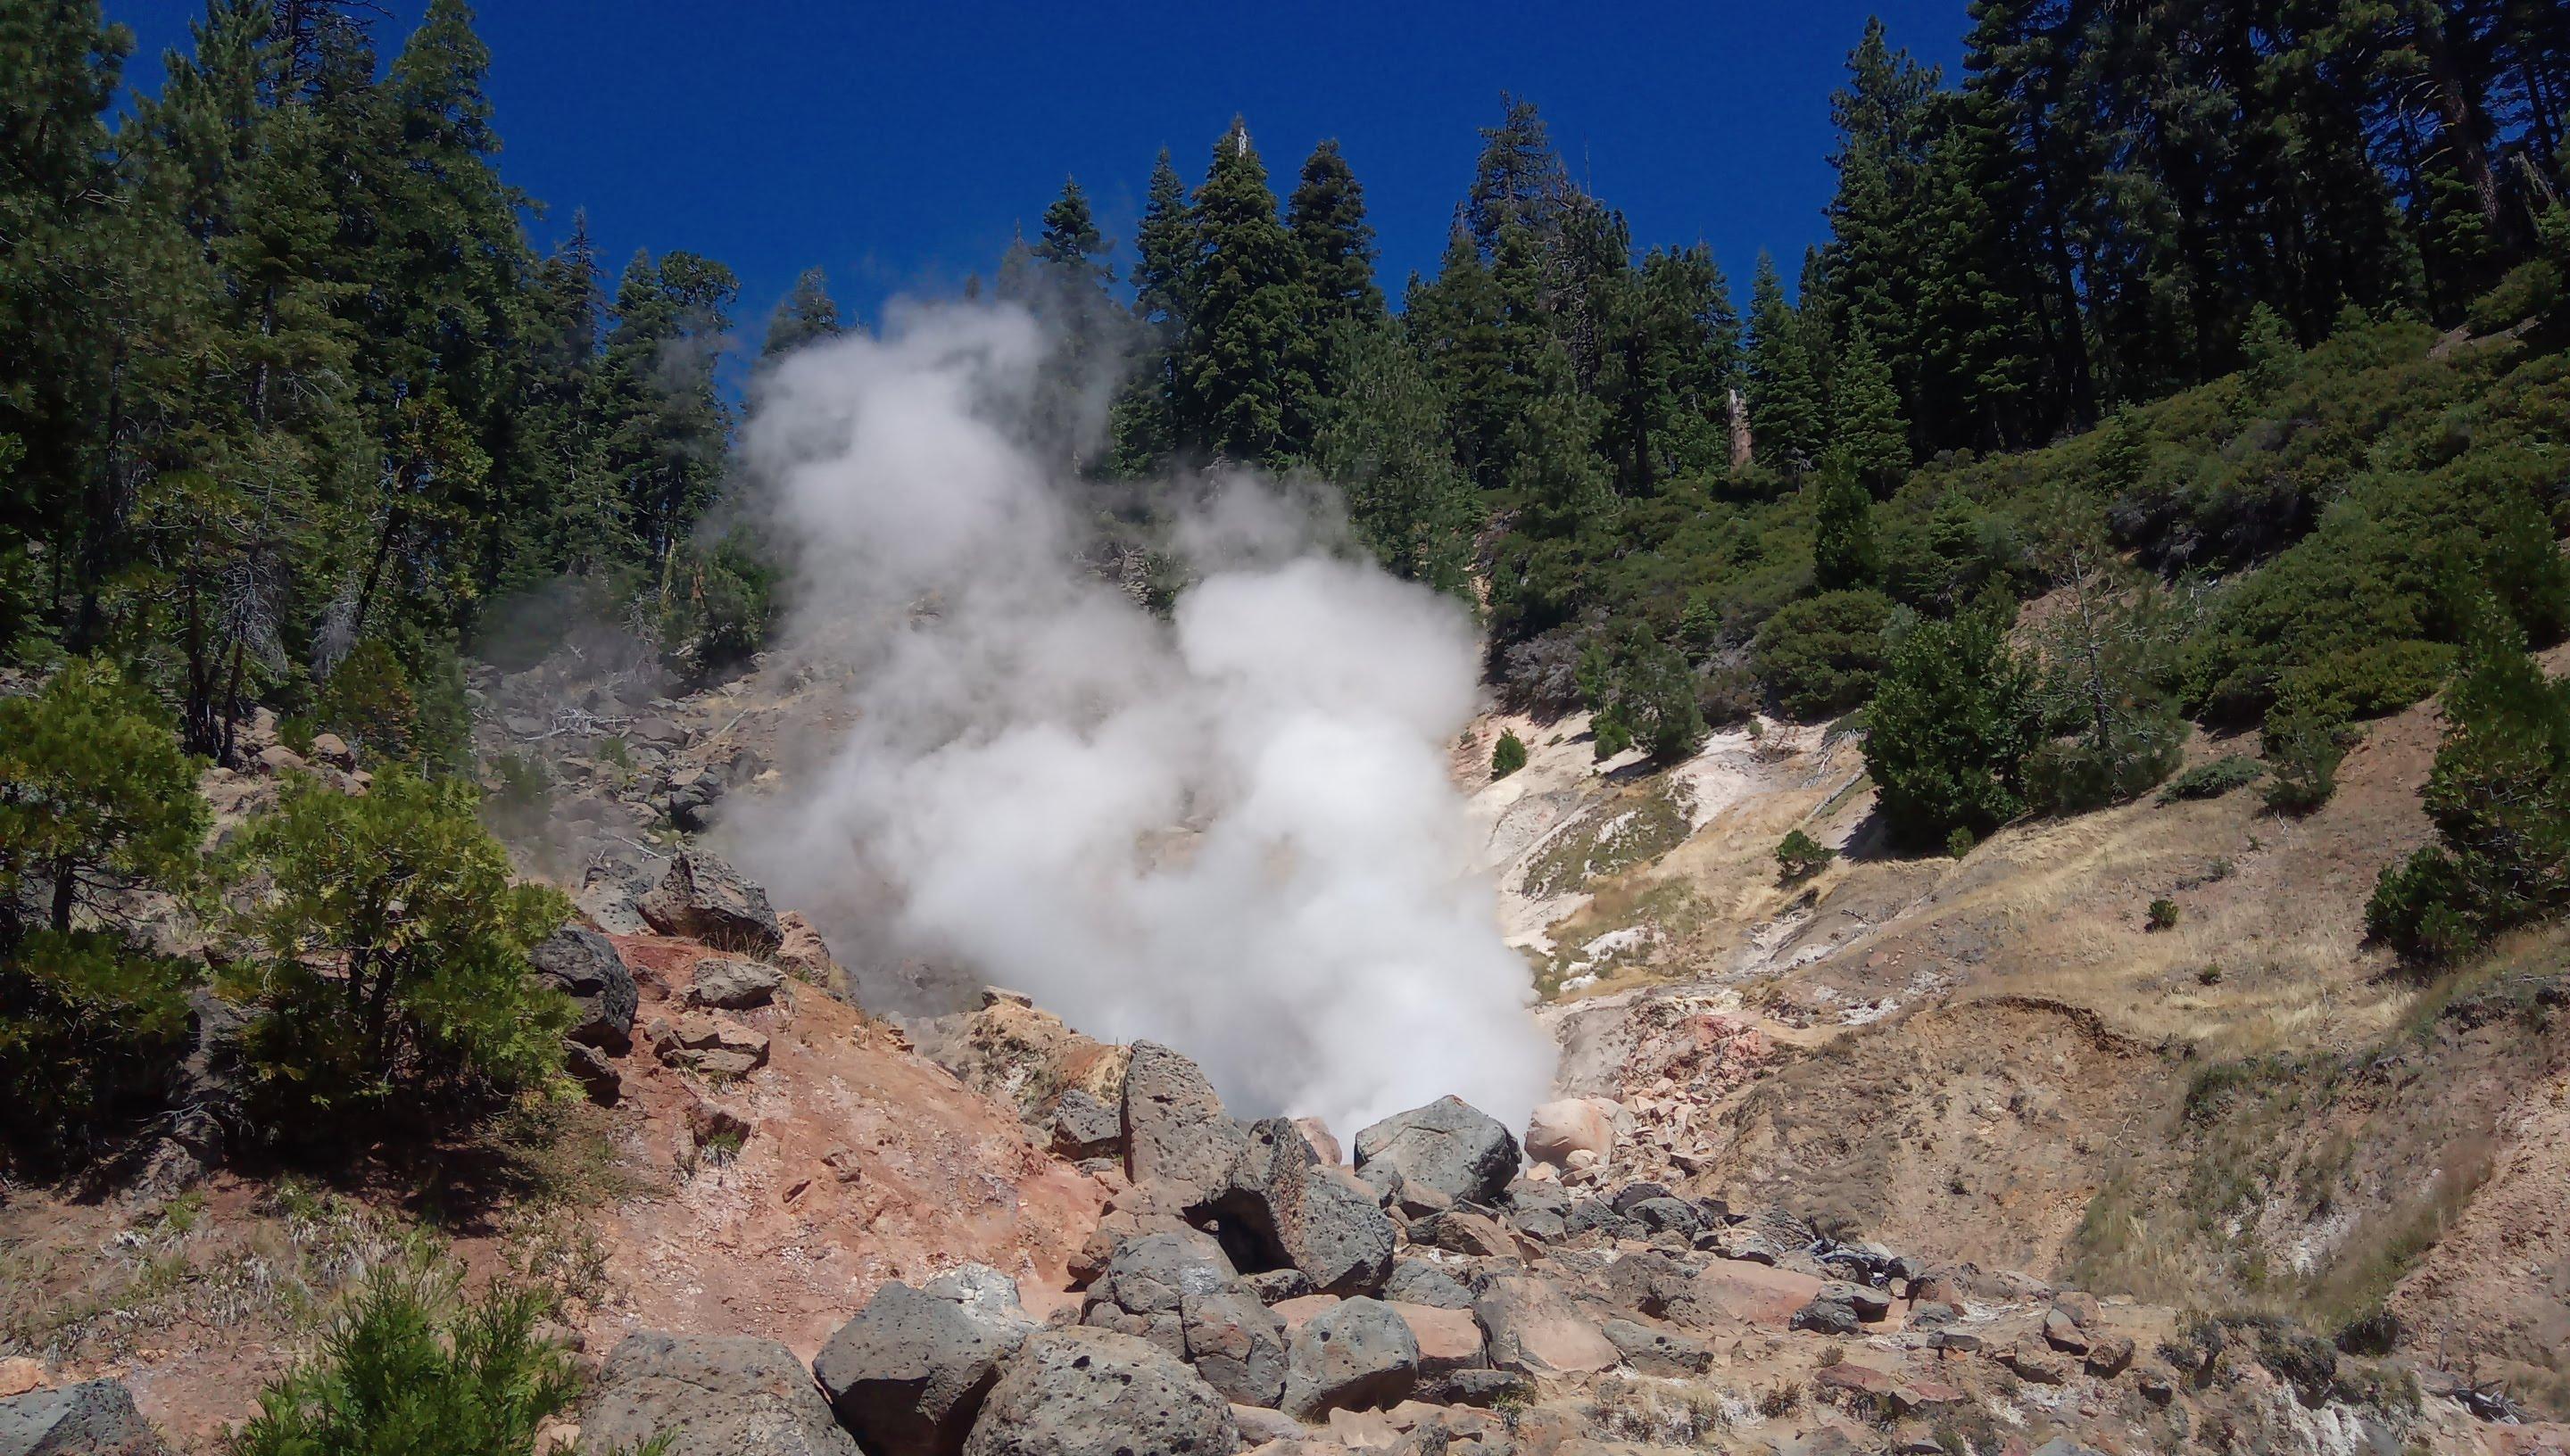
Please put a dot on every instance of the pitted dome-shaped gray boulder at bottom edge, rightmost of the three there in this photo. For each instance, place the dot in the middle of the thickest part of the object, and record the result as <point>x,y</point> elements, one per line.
<point>1096,1393</point>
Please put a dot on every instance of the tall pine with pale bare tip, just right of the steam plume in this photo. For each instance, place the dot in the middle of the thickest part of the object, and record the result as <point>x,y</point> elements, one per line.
<point>1245,368</point>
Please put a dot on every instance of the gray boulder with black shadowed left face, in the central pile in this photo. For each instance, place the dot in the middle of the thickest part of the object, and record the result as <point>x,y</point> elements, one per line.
<point>1299,1213</point>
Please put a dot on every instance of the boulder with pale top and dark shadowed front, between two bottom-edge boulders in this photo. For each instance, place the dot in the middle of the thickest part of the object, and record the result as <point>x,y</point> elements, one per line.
<point>914,1367</point>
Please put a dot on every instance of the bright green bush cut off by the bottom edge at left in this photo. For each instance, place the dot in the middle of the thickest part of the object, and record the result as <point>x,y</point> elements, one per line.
<point>418,1370</point>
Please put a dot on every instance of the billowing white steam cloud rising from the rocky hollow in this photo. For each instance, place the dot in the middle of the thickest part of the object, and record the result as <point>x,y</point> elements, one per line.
<point>1232,833</point>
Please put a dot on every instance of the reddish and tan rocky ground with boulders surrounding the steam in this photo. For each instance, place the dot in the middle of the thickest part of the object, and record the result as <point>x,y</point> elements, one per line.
<point>1901,1157</point>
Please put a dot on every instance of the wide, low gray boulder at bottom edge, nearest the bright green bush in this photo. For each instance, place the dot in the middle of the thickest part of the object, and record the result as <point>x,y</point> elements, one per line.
<point>711,1398</point>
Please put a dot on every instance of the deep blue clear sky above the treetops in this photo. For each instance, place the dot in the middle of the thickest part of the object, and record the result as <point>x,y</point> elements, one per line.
<point>898,145</point>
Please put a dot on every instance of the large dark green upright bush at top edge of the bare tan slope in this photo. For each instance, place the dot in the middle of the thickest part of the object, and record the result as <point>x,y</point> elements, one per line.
<point>1949,731</point>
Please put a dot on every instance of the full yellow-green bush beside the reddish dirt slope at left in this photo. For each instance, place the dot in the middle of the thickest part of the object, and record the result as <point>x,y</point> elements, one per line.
<point>394,967</point>
